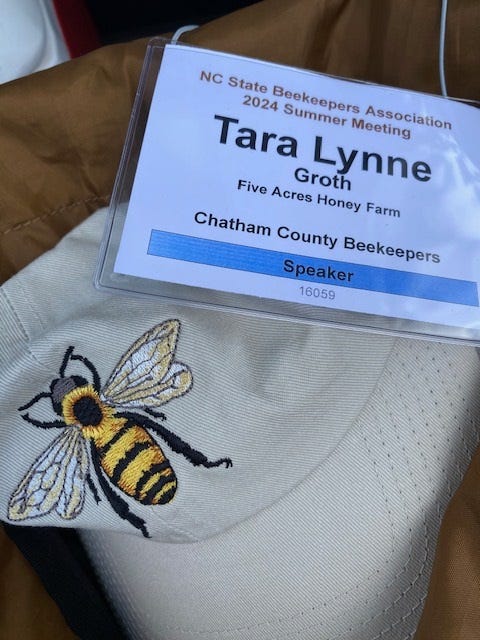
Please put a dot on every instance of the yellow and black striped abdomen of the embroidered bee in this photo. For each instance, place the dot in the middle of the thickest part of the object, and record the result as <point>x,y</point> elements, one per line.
<point>136,464</point>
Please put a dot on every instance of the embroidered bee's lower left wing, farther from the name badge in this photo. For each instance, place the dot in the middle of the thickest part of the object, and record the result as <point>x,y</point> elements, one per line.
<point>56,480</point>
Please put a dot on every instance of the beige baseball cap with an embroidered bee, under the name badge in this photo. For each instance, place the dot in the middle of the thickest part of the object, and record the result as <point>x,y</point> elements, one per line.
<point>233,476</point>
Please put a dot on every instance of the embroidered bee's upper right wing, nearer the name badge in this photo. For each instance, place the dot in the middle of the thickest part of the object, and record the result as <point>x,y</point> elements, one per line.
<point>147,374</point>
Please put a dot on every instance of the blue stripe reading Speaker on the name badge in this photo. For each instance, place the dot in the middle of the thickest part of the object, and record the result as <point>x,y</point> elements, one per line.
<point>288,265</point>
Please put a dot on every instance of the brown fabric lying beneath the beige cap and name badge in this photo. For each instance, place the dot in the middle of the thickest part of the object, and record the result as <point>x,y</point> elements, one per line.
<point>61,135</point>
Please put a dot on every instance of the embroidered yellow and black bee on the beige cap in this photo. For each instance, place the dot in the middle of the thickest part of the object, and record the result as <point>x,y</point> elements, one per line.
<point>101,429</point>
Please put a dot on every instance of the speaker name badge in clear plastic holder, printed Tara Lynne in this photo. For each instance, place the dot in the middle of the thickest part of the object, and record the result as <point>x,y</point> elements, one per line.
<point>266,188</point>
